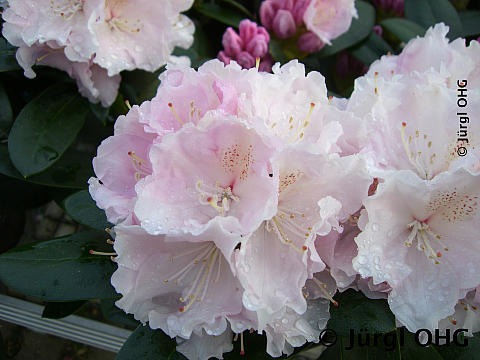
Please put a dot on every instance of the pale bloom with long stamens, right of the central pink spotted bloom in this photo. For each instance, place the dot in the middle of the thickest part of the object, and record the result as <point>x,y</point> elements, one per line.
<point>281,253</point>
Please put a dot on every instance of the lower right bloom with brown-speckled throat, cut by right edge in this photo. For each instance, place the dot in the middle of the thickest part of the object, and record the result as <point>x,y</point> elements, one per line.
<point>421,239</point>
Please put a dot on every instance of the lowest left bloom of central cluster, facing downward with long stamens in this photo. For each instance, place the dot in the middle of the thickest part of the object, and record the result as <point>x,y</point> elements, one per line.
<point>177,284</point>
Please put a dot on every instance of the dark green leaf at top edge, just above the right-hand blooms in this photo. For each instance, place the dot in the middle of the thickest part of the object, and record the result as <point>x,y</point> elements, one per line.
<point>430,12</point>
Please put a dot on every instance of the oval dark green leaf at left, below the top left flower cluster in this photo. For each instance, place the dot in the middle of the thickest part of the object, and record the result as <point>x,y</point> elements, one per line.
<point>45,128</point>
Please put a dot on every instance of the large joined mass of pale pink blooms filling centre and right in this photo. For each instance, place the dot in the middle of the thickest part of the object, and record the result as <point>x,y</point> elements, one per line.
<point>244,200</point>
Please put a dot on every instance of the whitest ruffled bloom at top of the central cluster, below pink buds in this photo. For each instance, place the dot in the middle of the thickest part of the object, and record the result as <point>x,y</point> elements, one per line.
<point>306,116</point>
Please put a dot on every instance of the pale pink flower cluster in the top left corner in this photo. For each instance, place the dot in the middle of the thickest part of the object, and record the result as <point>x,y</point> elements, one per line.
<point>94,40</point>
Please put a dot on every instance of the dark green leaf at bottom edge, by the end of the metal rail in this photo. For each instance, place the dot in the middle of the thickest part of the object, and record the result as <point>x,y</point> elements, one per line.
<point>147,344</point>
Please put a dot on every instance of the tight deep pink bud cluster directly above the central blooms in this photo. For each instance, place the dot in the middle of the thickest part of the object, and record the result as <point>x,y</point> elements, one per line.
<point>251,43</point>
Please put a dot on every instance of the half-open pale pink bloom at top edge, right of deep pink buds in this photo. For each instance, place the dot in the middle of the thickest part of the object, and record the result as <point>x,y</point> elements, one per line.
<point>328,19</point>
